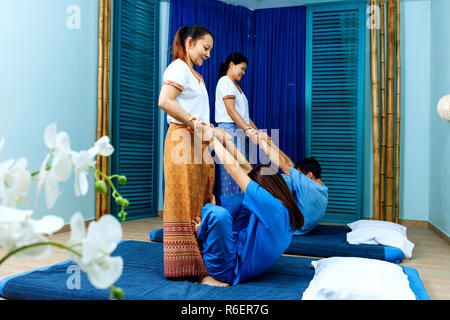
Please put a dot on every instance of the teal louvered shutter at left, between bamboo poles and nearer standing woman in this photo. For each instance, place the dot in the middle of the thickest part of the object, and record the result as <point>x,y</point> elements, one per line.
<point>134,111</point>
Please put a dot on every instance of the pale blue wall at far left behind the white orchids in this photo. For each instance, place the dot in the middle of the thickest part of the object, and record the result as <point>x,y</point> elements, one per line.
<point>48,73</point>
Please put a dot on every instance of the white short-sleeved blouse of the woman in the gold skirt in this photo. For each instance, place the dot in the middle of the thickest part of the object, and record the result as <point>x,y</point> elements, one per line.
<point>193,97</point>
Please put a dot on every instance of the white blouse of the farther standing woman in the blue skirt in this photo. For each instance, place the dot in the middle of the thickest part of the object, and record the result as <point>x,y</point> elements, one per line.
<point>226,88</point>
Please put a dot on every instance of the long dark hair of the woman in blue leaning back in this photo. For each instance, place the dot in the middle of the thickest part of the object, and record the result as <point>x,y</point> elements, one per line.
<point>276,185</point>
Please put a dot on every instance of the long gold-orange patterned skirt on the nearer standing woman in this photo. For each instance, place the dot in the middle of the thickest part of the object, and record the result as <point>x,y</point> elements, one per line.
<point>189,182</point>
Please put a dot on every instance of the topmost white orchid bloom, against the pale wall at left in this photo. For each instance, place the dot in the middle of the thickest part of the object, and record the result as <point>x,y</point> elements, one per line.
<point>61,165</point>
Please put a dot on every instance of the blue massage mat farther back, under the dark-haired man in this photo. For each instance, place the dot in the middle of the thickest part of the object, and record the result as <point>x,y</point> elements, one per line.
<point>328,241</point>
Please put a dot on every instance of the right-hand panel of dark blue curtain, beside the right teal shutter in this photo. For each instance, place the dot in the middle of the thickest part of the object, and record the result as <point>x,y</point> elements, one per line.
<point>277,94</point>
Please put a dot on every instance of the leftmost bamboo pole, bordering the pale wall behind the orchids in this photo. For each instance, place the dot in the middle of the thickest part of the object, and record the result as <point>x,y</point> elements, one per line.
<point>101,7</point>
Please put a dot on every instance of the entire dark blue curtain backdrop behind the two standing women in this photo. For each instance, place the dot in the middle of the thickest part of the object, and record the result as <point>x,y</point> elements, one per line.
<point>273,40</point>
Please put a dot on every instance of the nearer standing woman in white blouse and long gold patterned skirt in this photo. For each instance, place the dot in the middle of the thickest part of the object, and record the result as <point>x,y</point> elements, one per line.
<point>188,183</point>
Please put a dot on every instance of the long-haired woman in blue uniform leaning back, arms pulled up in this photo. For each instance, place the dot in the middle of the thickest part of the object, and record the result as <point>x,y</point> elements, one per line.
<point>245,238</point>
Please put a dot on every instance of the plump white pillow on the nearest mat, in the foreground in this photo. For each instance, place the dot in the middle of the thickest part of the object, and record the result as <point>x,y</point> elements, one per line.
<point>346,278</point>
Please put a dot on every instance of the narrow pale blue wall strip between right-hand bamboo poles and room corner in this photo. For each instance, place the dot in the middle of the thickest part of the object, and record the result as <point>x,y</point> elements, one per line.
<point>415,135</point>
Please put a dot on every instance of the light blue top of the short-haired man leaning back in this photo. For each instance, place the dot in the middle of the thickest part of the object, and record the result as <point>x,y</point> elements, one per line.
<point>311,198</point>
